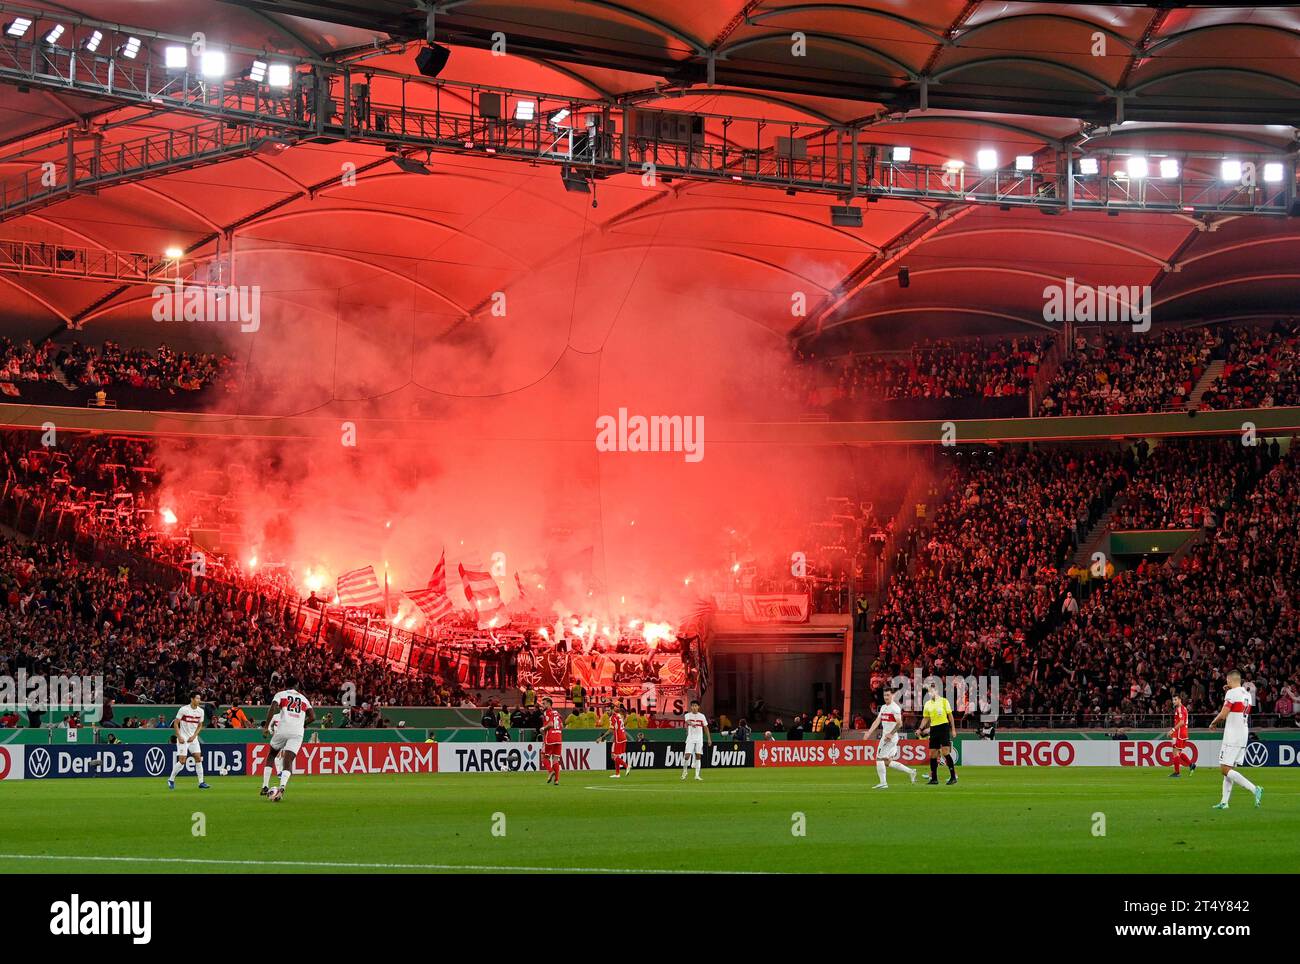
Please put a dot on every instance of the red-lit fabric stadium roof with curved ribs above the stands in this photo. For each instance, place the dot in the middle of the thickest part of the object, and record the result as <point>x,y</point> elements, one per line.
<point>947,79</point>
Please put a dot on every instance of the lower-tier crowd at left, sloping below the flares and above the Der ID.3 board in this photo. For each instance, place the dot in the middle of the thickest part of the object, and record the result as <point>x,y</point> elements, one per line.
<point>157,645</point>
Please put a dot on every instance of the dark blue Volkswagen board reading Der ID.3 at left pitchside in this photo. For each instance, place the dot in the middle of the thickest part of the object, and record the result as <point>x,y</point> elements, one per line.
<point>127,761</point>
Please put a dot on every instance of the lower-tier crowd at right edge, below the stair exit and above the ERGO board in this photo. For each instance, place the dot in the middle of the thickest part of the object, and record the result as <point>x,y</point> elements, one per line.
<point>1160,629</point>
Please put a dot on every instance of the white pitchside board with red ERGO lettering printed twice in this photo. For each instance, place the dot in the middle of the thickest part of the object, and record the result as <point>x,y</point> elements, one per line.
<point>1111,753</point>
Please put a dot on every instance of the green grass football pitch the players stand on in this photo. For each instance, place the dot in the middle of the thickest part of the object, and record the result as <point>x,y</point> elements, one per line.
<point>995,820</point>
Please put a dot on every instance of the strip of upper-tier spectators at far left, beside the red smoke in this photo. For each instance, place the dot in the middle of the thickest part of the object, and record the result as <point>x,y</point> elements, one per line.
<point>85,366</point>
